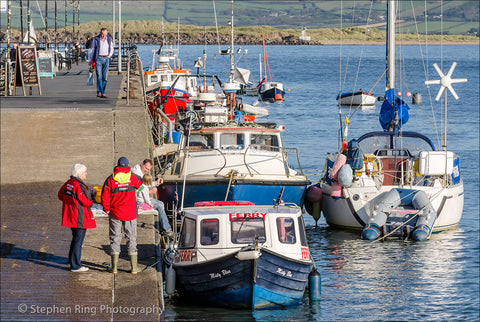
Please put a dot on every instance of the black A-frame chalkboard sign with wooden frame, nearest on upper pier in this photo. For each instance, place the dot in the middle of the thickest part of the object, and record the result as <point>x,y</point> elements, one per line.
<point>27,69</point>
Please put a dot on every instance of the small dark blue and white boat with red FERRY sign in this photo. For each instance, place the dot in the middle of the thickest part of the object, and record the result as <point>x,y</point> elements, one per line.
<point>241,255</point>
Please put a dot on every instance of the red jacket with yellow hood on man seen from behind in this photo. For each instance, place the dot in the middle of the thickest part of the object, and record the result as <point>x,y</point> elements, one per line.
<point>118,194</point>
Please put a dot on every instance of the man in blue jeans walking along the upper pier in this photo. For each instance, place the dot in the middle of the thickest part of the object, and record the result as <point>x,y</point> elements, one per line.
<point>102,51</point>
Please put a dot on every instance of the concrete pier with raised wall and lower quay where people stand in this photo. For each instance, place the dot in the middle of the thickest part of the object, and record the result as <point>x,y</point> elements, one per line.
<point>41,138</point>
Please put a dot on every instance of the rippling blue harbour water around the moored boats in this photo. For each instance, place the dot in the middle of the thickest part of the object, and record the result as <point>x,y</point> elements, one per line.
<point>395,280</point>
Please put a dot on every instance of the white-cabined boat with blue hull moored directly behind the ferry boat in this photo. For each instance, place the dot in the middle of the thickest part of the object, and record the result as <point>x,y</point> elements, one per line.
<point>224,154</point>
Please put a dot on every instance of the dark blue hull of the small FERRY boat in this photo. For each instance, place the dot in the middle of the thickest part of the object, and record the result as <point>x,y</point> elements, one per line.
<point>272,280</point>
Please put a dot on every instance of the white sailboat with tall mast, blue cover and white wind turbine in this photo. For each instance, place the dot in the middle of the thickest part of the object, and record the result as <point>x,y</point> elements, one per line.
<point>392,183</point>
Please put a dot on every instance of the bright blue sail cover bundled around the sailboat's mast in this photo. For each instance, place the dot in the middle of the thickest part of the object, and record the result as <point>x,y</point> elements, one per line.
<point>391,107</point>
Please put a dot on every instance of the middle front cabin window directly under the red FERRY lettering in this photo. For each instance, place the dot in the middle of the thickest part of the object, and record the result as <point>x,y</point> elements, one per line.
<point>246,230</point>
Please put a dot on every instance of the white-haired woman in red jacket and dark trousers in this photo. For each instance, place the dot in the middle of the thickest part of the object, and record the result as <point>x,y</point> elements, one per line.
<point>76,213</point>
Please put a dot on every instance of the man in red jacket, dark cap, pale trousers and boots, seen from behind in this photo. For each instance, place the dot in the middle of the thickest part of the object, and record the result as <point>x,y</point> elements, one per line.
<point>119,202</point>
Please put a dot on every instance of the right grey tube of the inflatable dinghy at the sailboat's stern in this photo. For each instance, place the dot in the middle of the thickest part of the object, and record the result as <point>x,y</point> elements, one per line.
<point>426,218</point>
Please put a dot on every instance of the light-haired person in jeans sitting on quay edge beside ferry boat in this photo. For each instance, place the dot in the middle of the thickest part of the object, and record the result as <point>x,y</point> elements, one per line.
<point>140,170</point>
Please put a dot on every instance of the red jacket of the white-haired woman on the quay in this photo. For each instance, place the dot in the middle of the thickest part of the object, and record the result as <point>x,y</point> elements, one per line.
<point>76,198</point>
